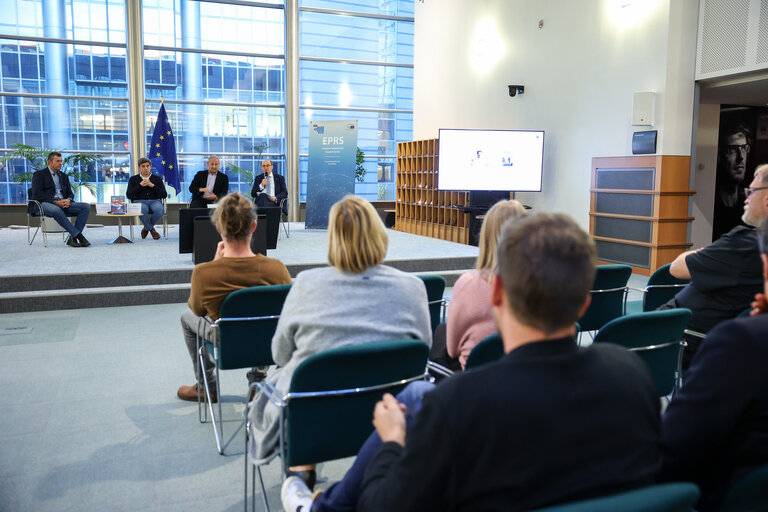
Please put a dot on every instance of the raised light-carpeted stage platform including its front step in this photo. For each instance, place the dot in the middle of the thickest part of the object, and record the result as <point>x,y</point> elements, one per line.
<point>39,278</point>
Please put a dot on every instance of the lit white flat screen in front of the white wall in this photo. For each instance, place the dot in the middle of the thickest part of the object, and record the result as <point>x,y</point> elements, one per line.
<point>508,160</point>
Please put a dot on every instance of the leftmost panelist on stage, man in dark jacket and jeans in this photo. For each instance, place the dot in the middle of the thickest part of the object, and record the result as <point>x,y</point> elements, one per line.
<point>50,187</point>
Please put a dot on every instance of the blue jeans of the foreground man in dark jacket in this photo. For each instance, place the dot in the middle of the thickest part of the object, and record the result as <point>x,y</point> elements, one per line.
<point>342,496</point>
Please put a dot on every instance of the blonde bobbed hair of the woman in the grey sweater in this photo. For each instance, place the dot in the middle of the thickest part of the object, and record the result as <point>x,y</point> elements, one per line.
<point>357,238</point>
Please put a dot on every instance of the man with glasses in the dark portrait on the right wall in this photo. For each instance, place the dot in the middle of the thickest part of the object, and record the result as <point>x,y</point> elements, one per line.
<point>729,187</point>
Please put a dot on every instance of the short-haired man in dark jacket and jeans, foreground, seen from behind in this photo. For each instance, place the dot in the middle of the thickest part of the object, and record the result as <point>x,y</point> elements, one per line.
<point>550,422</point>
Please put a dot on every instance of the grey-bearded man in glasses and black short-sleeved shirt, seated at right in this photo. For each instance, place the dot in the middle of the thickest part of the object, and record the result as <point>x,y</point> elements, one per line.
<point>727,274</point>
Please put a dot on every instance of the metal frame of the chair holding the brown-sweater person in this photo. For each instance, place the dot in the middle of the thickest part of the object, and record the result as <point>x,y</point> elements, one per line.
<point>202,412</point>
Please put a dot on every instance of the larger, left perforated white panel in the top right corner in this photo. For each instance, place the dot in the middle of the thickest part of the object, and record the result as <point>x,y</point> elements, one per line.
<point>724,35</point>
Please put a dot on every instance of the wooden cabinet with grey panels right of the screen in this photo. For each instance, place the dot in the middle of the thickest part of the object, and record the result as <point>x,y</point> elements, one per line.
<point>639,210</point>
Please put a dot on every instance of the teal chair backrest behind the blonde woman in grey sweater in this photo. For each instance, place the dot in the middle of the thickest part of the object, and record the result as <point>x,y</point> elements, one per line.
<point>332,425</point>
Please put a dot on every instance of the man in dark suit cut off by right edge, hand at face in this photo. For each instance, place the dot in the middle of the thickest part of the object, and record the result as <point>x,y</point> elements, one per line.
<point>715,430</point>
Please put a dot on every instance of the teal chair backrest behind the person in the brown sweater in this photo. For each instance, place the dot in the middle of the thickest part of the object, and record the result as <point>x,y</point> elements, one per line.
<point>247,322</point>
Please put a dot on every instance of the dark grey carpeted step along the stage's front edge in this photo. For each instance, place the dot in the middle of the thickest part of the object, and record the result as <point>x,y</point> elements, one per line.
<point>110,289</point>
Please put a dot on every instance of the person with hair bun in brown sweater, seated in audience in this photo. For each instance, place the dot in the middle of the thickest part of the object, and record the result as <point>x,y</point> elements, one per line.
<point>234,267</point>
